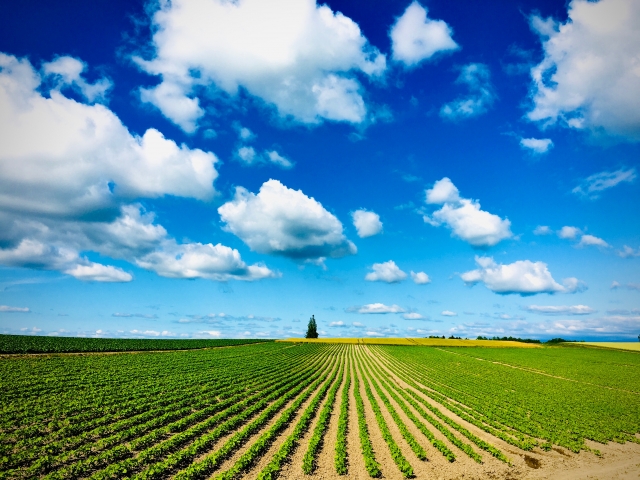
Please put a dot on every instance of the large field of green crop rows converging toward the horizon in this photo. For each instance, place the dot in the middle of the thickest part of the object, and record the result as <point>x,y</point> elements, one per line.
<point>317,410</point>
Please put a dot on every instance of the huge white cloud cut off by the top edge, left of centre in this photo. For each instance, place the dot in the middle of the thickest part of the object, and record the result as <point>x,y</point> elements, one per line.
<point>298,57</point>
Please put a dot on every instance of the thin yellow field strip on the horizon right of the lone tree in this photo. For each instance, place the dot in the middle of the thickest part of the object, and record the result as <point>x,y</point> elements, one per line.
<point>430,342</point>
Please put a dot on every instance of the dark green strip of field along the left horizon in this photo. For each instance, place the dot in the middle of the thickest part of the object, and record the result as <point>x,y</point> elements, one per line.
<point>36,344</point>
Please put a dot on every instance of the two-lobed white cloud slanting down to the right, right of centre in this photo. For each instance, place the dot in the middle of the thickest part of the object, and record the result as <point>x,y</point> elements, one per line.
<point>464,216</point>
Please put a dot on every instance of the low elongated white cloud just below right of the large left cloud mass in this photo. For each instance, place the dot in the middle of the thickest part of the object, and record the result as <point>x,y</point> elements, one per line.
<point>197,260</point>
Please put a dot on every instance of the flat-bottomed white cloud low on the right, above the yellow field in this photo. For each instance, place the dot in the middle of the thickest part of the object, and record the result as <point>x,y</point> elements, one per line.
<point>522,277</point>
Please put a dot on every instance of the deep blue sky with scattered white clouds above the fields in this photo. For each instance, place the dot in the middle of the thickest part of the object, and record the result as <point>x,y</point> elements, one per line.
<point>227,169</point>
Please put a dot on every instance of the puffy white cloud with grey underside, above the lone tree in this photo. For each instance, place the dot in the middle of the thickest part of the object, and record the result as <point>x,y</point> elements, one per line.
<point>282,221</point>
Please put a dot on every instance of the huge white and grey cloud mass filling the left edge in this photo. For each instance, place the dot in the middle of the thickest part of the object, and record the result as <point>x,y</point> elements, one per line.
<point>68,171</point>
